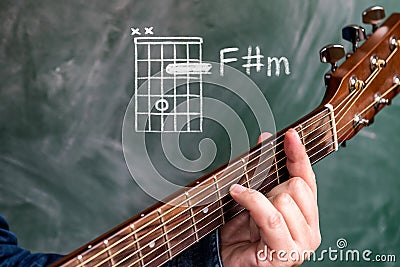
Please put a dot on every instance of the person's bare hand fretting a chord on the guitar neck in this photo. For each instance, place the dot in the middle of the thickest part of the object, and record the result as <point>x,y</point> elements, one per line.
<point>285,221</point>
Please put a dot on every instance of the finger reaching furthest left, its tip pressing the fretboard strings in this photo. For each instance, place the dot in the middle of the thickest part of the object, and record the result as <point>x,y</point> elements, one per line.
<point>273,229</point>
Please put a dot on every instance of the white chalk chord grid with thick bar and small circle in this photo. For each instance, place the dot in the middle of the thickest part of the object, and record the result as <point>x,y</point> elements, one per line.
<point>168,84</point>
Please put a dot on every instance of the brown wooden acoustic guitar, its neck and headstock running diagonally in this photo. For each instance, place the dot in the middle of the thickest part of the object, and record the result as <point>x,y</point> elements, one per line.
<point>356,91</point>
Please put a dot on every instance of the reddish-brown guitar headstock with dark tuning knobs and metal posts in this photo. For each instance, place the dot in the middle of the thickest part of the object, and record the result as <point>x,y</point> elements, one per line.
<point>369,78</point>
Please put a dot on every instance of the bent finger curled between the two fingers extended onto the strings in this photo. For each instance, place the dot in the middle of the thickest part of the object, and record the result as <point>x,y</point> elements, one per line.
<point>302,195</point>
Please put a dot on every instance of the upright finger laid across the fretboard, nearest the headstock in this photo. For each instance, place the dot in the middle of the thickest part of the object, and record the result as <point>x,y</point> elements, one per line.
<point>298,163</point>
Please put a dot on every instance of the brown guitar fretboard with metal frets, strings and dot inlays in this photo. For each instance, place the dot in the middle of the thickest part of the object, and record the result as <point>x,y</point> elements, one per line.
<point>164,230</point>
